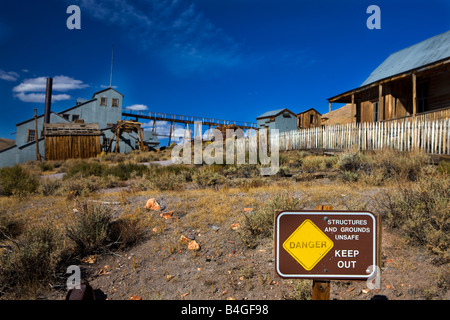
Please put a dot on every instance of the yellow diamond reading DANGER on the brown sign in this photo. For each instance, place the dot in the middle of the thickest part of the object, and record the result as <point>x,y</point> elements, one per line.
<point>308,244</point>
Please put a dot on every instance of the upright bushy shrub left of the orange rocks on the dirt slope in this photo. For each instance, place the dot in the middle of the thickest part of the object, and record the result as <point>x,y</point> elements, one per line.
<point>90,228</point>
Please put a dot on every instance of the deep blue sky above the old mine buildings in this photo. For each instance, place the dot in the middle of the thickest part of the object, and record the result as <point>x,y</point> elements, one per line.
<point>225,59</point>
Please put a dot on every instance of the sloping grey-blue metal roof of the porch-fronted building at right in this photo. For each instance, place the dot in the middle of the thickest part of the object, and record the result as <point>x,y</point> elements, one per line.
<point>418,55</point>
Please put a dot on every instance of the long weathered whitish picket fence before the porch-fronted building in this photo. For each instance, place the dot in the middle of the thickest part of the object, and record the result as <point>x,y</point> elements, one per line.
<point>431,136</point>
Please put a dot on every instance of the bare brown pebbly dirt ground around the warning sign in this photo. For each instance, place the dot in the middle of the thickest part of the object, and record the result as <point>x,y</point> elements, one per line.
<point>162,268</point>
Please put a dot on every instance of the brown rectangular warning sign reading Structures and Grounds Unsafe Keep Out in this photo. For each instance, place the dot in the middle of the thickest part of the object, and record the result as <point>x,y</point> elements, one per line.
<point>326,244</point>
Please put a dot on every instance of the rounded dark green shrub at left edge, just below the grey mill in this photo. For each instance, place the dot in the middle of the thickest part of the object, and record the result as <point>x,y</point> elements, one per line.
<point>17,181</point>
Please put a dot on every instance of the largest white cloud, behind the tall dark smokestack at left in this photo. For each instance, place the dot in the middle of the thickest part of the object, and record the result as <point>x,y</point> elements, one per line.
<point>30,89</point>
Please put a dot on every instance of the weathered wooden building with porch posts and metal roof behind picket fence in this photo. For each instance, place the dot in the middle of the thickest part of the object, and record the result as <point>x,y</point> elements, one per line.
<point>413,82</point>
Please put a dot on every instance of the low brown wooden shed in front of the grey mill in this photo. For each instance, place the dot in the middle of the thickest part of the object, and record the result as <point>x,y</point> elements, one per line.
<point>71,140</point>
